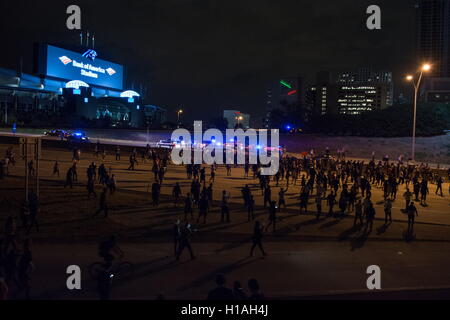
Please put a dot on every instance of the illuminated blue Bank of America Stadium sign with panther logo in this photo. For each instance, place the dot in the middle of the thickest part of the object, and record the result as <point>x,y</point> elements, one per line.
<point>70,65</point>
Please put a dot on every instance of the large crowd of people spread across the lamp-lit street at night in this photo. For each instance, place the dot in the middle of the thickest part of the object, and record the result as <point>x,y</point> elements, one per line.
<point>322,186</point>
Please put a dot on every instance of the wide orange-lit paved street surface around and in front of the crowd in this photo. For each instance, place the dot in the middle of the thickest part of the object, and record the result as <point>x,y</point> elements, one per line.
<point>307,257</point>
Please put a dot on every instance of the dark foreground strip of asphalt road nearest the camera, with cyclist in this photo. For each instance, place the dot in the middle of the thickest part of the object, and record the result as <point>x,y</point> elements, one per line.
<point>294,270</point>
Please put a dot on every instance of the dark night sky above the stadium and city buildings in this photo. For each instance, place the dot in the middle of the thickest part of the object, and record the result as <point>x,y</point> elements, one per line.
<point>206,55</point>
